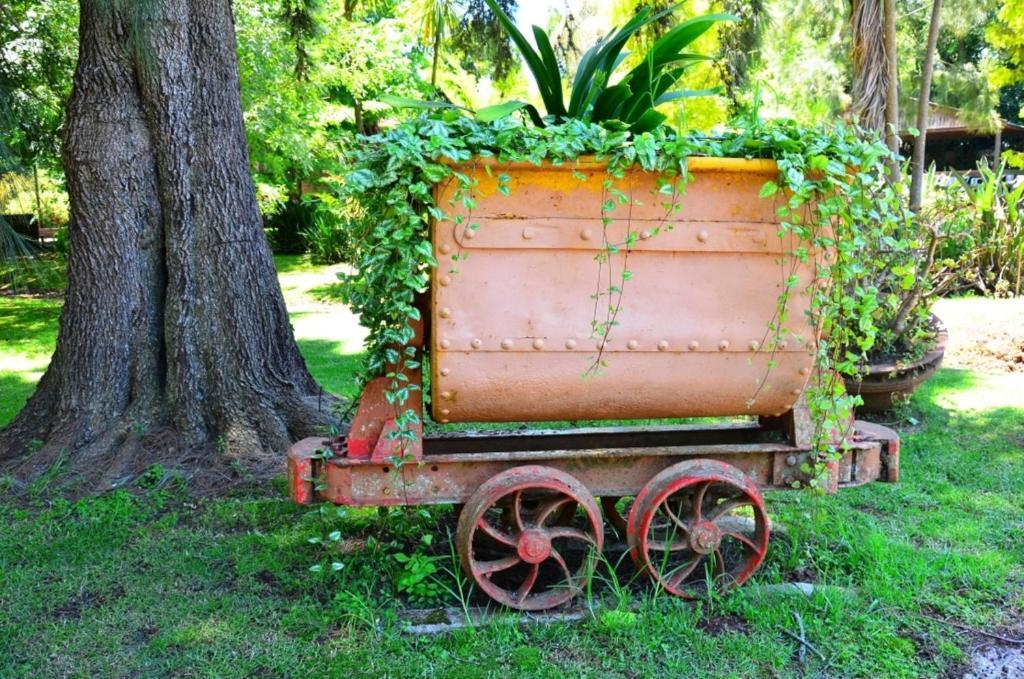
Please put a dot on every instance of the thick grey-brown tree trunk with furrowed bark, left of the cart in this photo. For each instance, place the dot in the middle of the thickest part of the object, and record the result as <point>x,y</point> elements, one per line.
<point>175,334</point>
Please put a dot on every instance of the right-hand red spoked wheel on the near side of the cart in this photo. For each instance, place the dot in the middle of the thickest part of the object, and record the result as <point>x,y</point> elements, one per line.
<point>699,526</point>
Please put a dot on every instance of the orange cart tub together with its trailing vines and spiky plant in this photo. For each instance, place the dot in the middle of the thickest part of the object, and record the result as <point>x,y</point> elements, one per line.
<point>592,241</point>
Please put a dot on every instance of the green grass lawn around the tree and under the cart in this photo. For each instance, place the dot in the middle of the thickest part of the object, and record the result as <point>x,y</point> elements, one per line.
<point>153,582</point>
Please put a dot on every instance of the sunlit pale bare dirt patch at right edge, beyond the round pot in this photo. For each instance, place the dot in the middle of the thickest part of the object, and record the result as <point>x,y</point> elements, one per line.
<point>987,335</point>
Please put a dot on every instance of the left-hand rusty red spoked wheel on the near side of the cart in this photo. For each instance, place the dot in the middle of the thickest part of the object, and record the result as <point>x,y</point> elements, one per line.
<point>526,537</point>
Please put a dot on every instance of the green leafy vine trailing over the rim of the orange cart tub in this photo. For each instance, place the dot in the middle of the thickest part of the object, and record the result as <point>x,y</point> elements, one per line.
<point>832,196</point>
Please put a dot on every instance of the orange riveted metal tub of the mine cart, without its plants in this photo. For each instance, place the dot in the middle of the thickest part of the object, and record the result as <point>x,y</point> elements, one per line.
<point>513,333</point>
